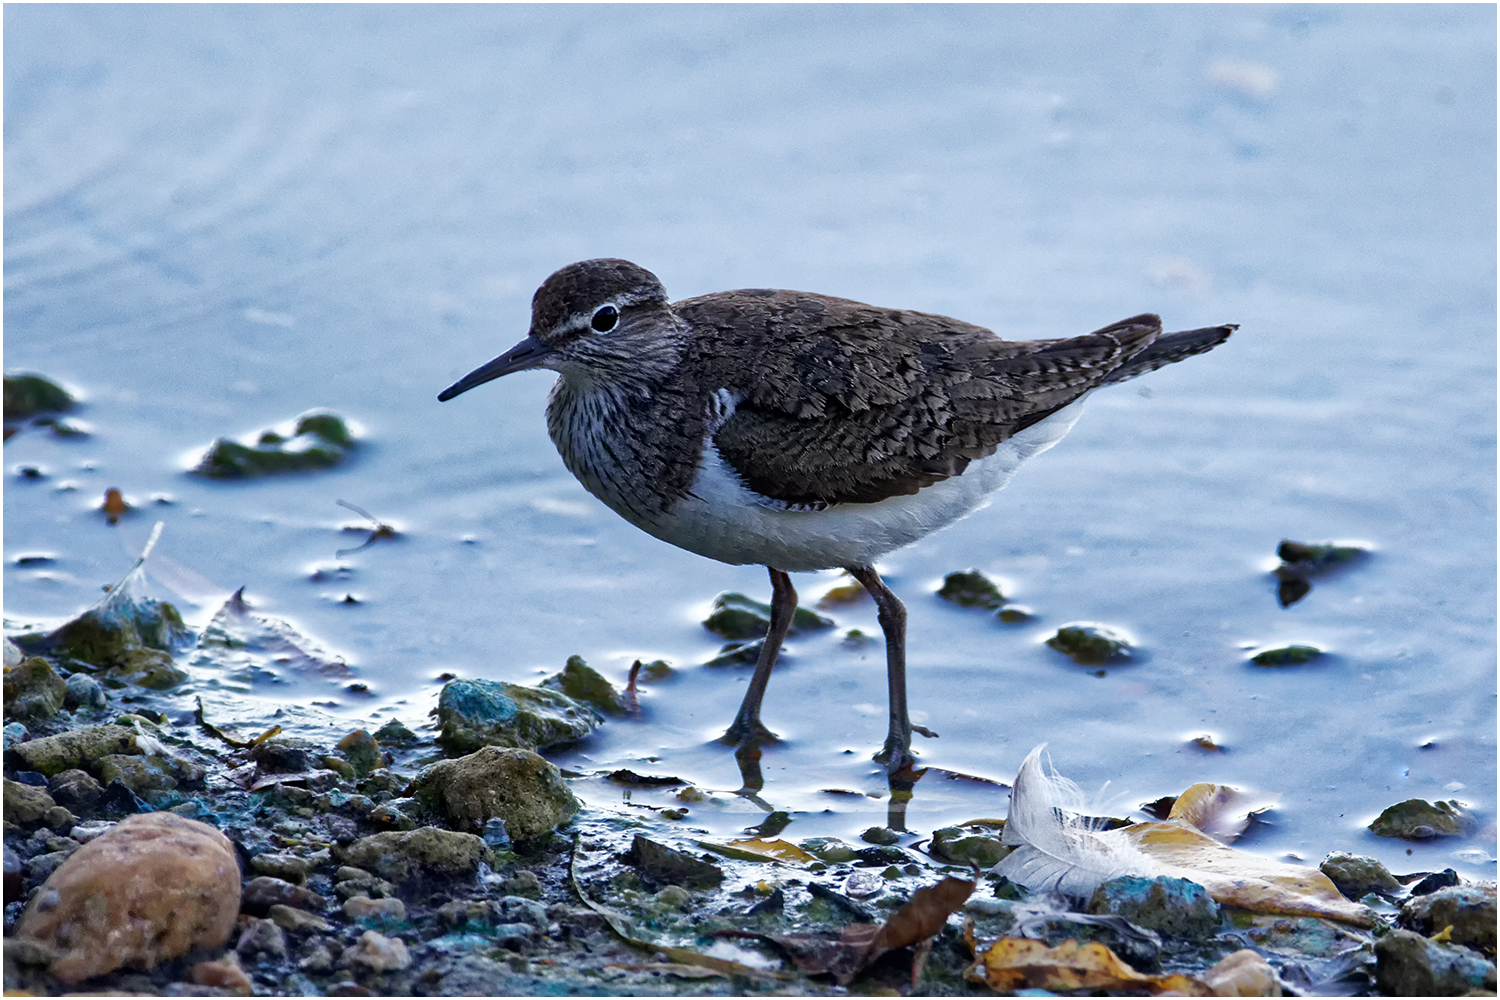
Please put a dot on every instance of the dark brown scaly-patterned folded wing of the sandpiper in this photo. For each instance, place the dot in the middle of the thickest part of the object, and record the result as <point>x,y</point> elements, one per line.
<point>853,404</point>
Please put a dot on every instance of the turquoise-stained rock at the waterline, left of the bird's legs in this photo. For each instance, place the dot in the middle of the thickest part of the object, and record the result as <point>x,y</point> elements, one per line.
<point>478,714</point>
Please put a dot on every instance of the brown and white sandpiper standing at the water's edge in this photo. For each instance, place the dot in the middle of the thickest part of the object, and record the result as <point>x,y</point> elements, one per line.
<point>803,433</point>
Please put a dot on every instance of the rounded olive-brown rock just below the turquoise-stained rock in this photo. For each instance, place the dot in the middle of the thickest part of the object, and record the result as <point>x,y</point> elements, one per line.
<point>517,786</point>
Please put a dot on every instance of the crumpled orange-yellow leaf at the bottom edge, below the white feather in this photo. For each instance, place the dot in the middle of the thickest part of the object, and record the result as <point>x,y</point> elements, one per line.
<point>1019,963</point>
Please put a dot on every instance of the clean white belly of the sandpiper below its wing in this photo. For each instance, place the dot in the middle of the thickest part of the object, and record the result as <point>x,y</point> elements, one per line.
<point>725,521</point>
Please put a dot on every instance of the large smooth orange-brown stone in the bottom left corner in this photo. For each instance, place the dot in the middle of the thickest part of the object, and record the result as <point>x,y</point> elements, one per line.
<point>151,888</point>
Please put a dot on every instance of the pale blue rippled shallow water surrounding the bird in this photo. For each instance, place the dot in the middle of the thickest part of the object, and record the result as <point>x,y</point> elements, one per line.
<point>220,218</point>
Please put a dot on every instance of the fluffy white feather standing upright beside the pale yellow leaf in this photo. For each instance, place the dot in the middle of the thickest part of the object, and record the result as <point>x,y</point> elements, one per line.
<point>1057,849</point>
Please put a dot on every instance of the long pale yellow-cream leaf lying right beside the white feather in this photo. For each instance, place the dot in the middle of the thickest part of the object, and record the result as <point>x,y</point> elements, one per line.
<point>1240,879</point>
